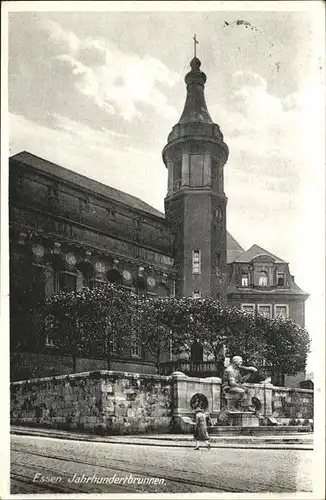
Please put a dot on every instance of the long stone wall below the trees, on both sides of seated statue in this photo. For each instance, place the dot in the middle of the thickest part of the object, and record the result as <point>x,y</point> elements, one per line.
<point>108,402</point>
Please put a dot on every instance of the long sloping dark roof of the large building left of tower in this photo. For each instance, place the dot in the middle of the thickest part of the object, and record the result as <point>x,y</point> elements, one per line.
<point>85,182</point>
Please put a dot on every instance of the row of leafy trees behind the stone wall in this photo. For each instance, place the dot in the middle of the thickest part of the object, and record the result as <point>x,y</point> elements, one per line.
<point>79,320</point>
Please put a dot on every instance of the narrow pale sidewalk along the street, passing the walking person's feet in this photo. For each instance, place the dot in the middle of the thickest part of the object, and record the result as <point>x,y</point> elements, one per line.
<point>293,442</point>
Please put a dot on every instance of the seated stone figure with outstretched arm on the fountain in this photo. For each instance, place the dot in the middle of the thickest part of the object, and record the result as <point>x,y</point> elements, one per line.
<point>235,393</point>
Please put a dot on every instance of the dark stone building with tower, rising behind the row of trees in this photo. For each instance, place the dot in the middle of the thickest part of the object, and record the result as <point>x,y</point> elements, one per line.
<point>68,231</point>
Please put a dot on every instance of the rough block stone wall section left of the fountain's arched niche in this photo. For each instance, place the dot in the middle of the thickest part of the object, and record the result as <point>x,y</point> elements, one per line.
<point>104,402</point>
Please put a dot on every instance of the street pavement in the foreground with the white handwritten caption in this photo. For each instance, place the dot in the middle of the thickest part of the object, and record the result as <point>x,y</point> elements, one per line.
<point>42,465</point>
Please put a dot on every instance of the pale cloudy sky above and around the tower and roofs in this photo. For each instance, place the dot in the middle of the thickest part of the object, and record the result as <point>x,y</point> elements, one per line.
<point>98,93</point>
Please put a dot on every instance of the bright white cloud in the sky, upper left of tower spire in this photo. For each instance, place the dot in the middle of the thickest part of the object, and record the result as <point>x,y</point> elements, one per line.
<point>116,81</point>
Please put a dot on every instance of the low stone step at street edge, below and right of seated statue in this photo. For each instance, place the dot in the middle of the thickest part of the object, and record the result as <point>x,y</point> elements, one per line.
<point>259,431</point>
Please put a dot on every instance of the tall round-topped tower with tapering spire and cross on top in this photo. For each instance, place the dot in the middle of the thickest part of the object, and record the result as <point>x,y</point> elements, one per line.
<point>195,204</point>
